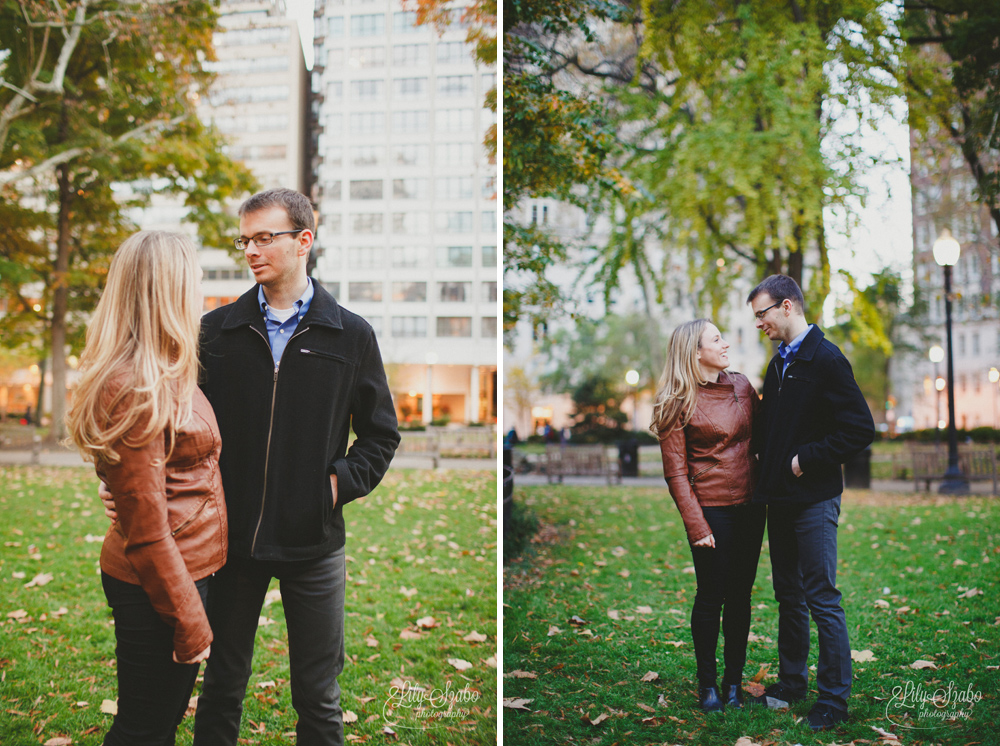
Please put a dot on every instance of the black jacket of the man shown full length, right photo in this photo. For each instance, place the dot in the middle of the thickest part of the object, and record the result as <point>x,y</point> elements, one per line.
<point>817,412</point>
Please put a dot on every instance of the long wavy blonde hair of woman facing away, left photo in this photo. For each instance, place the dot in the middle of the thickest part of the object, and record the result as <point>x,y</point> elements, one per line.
<point>141,355</point>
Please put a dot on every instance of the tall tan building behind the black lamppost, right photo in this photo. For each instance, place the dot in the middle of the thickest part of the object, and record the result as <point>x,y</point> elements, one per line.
<point>944,197</point>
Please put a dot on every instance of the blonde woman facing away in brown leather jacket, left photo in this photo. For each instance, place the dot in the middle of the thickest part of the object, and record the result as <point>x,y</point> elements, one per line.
<point>139,416</point>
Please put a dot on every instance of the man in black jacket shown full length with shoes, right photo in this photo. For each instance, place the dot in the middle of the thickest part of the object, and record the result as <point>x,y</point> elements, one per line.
<point>813,419</point>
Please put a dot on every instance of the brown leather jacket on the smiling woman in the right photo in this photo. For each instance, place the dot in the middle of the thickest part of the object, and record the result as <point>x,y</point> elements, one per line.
<point>710,461</point>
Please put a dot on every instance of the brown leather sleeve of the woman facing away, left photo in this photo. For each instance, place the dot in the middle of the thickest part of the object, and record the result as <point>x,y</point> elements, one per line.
<point>138,484</point>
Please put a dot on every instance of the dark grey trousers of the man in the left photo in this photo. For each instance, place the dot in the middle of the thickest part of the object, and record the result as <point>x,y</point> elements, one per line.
<point>312,594</point>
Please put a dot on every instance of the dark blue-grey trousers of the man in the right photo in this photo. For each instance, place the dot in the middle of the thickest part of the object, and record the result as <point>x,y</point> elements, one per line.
<point>803,541</point>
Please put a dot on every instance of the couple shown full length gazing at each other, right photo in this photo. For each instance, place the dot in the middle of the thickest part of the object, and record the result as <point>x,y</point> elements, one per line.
<point>733,462</point>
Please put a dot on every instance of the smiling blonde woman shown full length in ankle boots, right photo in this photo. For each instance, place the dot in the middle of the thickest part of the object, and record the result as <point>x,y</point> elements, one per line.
<point>703,417</point>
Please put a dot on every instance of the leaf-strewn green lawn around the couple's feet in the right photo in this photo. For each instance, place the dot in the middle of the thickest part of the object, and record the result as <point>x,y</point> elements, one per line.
<point>919,578</point>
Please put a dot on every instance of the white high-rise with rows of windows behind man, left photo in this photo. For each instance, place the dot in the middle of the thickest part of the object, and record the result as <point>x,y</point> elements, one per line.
<point>407,233</point>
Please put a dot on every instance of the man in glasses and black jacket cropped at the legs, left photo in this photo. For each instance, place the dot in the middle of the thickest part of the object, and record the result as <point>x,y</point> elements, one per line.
<point>289,373</point>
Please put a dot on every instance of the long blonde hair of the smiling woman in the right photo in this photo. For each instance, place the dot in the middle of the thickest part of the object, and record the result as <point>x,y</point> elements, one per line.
<point>677,393</point>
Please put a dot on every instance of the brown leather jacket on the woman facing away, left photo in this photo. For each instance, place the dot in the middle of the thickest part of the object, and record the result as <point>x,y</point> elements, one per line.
<point>171,528</point>
